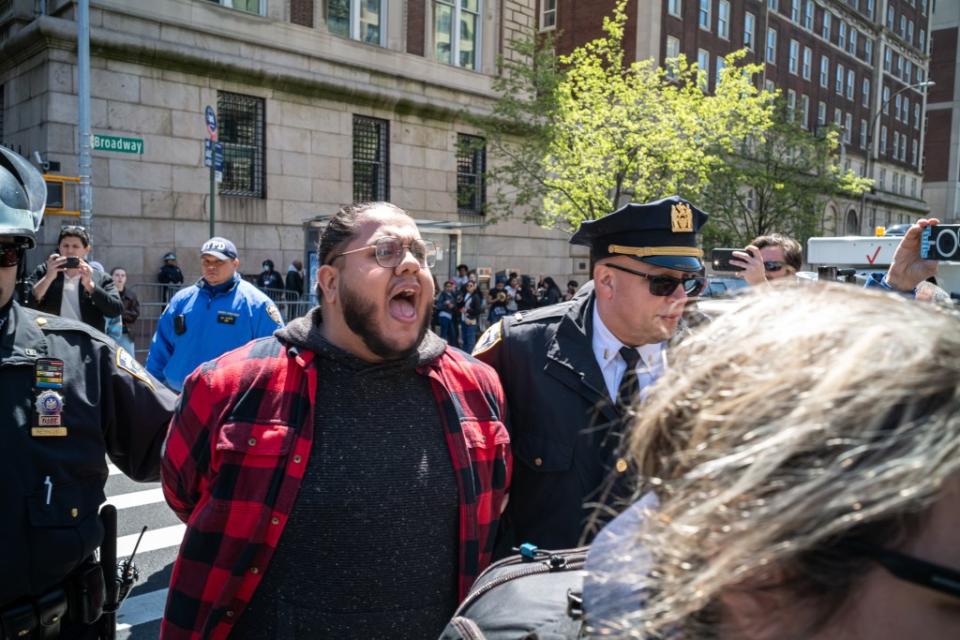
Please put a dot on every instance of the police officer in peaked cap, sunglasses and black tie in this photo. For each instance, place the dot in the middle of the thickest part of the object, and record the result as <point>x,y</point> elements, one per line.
<point>571,370</point>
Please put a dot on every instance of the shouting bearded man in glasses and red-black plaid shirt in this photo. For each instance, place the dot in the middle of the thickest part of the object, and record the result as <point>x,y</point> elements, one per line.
<point>343,478</point>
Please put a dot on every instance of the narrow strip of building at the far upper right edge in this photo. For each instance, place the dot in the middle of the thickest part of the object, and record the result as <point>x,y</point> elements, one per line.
<point>942,149</point>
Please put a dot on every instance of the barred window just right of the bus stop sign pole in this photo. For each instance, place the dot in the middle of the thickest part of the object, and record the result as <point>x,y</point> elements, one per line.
<point>242,125</point>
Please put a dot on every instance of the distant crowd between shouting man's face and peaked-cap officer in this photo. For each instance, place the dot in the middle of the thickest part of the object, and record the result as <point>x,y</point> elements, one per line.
<point>464,307</point>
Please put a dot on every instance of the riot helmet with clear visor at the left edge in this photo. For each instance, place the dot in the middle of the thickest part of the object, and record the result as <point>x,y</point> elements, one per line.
<point>23,196</point>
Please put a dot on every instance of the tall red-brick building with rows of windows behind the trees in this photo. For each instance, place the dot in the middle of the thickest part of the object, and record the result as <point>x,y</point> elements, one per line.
<point>856,63</point>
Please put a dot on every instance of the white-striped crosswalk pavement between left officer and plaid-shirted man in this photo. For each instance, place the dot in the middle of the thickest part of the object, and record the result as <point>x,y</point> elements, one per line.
<point>137,505</point>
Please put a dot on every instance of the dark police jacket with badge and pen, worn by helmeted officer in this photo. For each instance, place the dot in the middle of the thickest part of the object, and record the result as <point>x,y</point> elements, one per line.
<point>51,486</point>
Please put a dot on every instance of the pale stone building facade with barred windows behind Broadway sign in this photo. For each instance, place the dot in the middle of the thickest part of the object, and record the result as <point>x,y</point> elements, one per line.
<point>320,103</point>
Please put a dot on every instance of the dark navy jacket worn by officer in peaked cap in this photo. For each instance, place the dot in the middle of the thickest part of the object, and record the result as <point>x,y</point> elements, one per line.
<point>564,428</point>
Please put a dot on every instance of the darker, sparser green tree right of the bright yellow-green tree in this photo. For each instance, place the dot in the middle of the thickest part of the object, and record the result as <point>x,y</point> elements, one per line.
<point>776,183</point>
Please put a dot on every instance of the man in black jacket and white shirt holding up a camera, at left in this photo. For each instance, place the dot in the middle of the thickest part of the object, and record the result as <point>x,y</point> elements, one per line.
<point>81,292</point>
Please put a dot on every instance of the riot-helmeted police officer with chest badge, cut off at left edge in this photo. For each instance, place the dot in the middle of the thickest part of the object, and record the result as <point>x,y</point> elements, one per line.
<point>68,398</point>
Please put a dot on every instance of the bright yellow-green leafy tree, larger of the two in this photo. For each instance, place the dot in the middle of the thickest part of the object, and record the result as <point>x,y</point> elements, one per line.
<point>579,134</point>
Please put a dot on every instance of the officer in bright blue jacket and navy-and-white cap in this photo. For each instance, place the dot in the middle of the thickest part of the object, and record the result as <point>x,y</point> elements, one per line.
<point>221,312</point>
